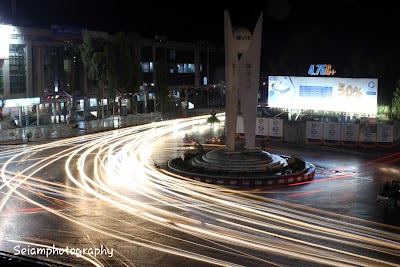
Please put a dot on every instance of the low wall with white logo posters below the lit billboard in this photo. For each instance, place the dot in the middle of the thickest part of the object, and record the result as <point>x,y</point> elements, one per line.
<point>323,133</point>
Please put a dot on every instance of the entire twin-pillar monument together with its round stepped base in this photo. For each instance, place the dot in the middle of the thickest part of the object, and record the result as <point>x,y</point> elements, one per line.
<point>232,165</point>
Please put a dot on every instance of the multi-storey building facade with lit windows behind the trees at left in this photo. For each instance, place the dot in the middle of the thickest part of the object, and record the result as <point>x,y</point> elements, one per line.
<point>43,79</point>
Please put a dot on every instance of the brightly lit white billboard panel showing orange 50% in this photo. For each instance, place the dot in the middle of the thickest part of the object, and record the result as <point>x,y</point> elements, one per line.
<point>352,95</point>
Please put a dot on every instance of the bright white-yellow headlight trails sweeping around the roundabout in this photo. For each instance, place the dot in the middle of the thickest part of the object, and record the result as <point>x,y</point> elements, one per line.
<point>116,170</point>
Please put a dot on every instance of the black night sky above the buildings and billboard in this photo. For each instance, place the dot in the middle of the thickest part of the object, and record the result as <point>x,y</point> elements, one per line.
<point>359,38</point>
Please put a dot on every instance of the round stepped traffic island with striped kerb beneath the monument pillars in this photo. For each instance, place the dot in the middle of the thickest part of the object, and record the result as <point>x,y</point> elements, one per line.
<point>242,167</point>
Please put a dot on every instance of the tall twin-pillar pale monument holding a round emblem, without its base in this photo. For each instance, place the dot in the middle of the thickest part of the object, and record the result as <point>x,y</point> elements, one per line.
<point>242,71</point>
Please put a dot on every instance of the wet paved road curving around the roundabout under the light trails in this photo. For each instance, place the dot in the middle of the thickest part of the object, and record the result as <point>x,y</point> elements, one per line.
<point>341,201</point>
